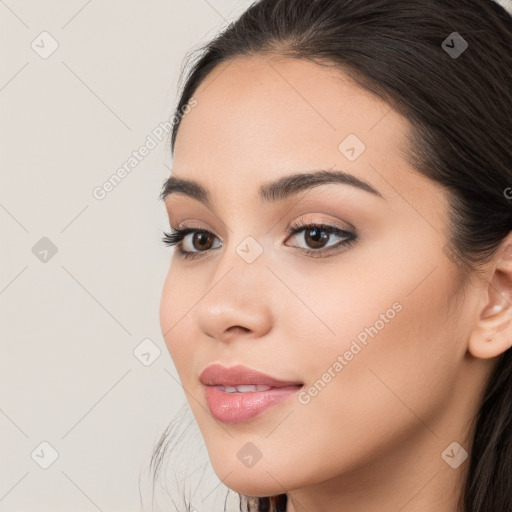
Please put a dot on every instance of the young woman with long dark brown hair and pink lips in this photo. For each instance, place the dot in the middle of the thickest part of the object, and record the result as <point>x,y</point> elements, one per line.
<point>340,205</point>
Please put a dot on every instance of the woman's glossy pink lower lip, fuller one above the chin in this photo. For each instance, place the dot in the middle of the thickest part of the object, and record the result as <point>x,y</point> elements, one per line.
<point>239,407</point>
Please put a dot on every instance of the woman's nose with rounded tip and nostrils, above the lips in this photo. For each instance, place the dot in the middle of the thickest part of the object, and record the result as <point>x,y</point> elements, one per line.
<point>238,303</point>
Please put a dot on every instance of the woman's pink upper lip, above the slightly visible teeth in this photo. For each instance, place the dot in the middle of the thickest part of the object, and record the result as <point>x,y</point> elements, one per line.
<point>218,375</point>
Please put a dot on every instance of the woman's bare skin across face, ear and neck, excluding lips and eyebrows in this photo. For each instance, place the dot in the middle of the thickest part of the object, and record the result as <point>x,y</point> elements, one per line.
<point>372,439</point>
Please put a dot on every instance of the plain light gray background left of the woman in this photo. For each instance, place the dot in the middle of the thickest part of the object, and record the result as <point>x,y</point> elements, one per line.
<point>69,326</point>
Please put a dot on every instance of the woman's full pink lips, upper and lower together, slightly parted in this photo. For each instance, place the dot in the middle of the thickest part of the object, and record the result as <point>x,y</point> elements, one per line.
<point>239,407</point>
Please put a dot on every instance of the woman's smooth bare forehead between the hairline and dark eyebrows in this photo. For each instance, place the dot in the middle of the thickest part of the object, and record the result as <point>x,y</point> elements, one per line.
<point>259,118</point>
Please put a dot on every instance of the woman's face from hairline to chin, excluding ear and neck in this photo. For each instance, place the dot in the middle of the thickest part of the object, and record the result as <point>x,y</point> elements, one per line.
<point>360,311</point>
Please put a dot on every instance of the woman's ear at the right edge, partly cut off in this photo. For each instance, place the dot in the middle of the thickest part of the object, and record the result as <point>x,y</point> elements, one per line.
<point>492,334</point>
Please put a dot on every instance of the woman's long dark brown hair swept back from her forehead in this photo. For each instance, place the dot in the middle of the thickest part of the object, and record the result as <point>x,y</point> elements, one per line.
<point>460,114</point>
